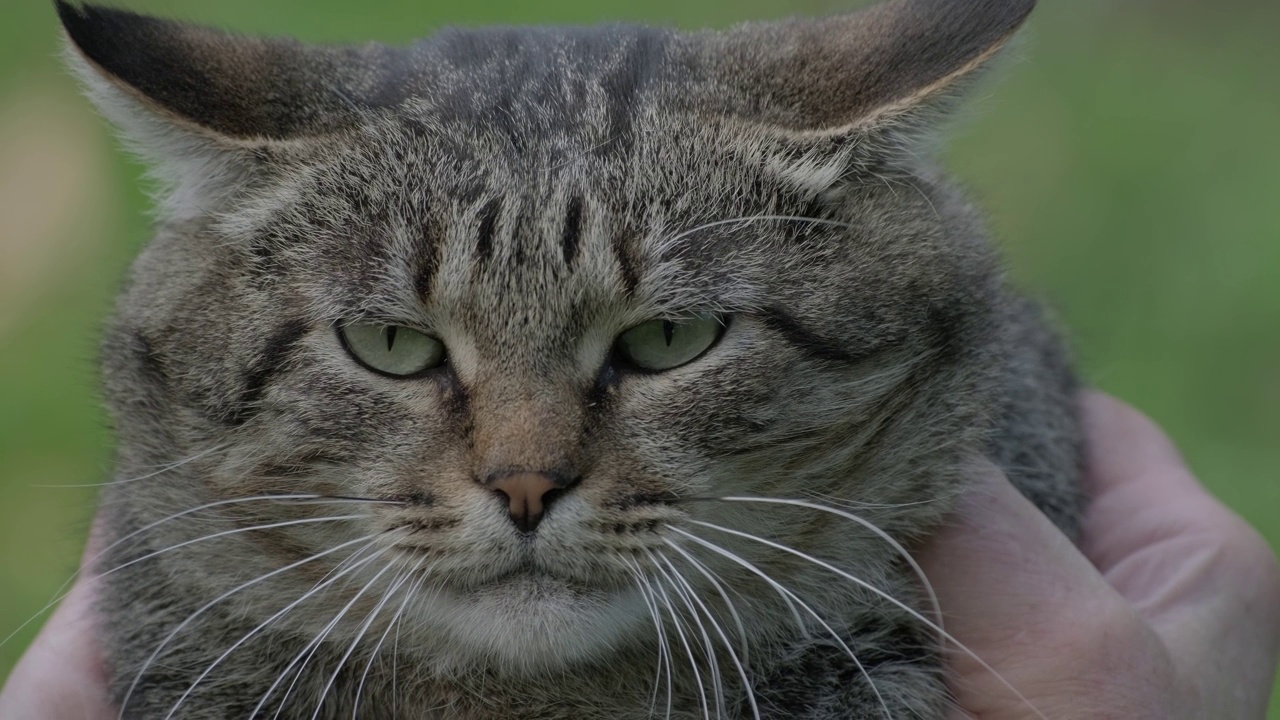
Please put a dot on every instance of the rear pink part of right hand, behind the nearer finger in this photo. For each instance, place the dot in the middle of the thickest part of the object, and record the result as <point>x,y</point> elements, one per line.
<point>1205,581</point>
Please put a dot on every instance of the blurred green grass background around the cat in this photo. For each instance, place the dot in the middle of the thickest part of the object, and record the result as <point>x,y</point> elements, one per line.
<point>1130,162</point>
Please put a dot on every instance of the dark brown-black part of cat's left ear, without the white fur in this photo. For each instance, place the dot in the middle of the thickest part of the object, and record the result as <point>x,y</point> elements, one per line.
<point>234,86</point>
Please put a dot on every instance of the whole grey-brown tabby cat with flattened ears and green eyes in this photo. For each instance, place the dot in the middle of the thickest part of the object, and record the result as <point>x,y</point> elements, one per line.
<point>555,373</point>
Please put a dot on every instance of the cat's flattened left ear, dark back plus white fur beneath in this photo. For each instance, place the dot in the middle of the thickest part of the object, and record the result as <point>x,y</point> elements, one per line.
<point>199,103</point>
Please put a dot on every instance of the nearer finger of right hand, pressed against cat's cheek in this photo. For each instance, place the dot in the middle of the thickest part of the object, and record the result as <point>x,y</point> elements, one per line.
<point>1022,598</point>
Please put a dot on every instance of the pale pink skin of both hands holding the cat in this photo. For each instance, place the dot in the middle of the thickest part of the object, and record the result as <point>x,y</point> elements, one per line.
<point>1169,609</point>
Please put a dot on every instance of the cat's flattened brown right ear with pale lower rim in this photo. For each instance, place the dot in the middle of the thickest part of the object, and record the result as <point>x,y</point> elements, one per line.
<point>868,70</point>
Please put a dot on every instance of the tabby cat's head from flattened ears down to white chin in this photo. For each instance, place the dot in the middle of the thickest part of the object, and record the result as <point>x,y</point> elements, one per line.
<point>551,293</point>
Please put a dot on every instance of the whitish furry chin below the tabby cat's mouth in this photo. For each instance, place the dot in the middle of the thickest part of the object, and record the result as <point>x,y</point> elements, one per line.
<point>531,623</point>
